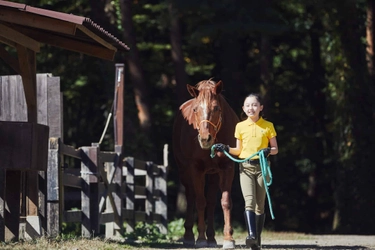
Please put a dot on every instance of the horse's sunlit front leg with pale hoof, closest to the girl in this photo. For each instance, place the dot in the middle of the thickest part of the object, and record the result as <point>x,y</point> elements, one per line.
<point>226,179</point>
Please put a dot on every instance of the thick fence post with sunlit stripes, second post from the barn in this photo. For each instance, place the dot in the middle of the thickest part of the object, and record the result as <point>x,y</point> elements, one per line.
<point>89,193</point>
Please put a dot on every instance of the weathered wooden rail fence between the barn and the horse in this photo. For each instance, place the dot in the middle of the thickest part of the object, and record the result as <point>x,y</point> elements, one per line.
<point>111,190</point>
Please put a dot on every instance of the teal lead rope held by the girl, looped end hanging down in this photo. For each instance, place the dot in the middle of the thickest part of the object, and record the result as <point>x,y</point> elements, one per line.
<point>266,170</point>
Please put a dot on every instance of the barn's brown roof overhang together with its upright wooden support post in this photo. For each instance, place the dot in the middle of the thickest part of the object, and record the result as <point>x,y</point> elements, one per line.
<point>26,28</point>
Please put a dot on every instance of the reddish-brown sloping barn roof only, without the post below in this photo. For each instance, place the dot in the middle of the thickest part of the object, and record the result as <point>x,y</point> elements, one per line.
<point>29,26</point>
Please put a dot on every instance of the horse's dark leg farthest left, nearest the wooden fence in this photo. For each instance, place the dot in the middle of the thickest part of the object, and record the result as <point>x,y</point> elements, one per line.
<point>189,239</point>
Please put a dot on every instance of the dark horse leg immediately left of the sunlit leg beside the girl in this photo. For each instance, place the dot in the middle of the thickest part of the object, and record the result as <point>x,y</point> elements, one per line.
<point>212,189</point>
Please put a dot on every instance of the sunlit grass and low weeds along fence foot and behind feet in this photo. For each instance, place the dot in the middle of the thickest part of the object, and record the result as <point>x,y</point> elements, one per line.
<point>144,236</point>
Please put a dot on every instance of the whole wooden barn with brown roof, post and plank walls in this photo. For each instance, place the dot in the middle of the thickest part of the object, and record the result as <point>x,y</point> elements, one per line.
<point>25,29</point>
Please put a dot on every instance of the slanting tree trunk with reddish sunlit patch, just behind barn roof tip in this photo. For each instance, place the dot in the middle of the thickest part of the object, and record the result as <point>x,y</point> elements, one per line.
<point>135,69</point>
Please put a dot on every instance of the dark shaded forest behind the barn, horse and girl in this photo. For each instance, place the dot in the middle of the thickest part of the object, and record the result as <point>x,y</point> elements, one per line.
<point>313,61</point>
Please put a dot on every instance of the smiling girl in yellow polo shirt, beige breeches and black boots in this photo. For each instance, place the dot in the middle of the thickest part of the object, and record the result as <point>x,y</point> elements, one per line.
<point>253,134</point>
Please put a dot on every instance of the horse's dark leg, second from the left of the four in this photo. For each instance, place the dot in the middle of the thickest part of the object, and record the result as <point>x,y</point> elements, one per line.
<point>200,203</point>
